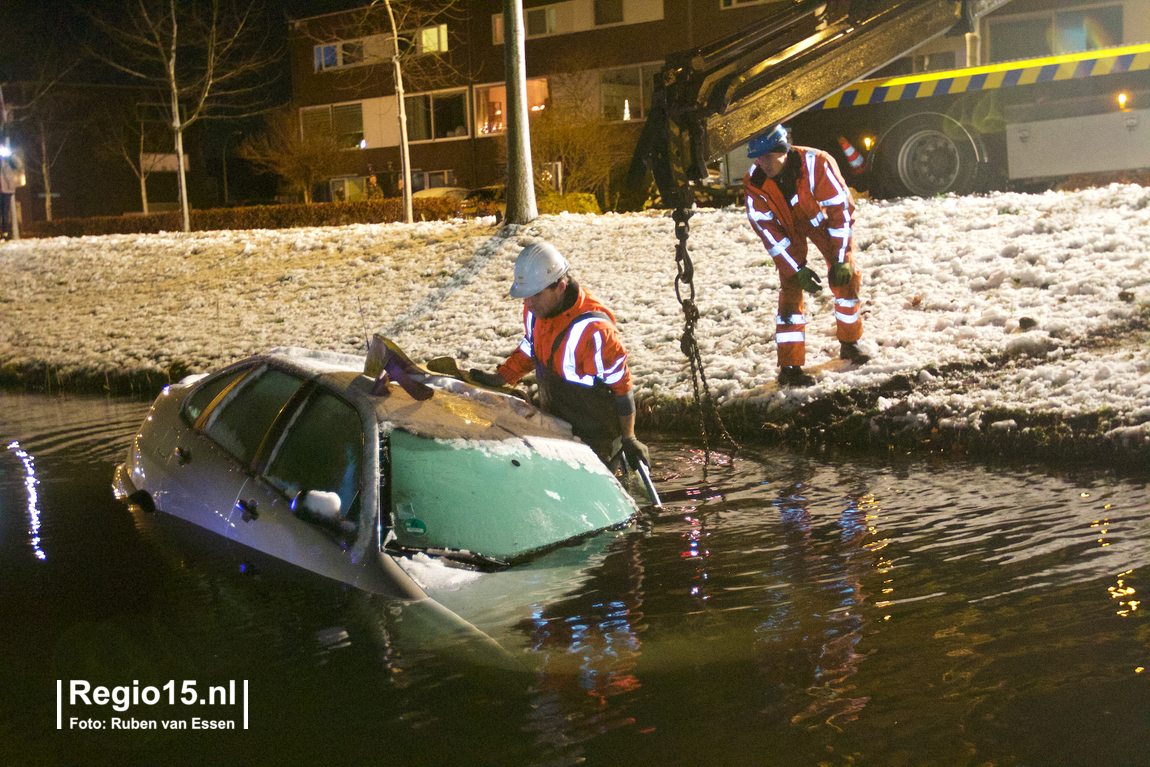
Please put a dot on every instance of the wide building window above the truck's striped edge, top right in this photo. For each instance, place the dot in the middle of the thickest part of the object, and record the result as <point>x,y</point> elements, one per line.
<point>1055,34</point>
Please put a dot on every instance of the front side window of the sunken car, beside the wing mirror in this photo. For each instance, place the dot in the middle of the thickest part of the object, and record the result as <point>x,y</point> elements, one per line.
<point>323,450</point>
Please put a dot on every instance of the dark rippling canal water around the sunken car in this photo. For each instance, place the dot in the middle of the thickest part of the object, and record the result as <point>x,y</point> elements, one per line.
<point>804,613</point>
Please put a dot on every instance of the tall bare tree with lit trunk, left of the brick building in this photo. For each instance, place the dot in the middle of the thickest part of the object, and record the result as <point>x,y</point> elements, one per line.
<point>210,57</point>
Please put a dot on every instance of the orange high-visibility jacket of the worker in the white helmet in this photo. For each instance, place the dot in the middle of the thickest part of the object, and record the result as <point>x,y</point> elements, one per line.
<point>591,349</point>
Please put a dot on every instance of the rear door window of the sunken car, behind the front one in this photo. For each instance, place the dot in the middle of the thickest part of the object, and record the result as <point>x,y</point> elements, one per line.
<point>241,424</point>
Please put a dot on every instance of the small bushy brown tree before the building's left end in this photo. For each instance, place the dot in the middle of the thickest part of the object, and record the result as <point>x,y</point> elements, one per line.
<point>303,160</point>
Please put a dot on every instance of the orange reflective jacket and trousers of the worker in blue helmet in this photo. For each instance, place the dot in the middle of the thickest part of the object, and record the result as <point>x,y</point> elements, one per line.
<point>821,211</point>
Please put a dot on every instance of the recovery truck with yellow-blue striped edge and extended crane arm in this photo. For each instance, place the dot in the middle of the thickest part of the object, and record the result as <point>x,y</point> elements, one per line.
<point>929,134</point>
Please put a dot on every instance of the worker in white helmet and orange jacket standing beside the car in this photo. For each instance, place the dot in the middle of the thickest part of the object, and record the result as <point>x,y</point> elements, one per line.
<point>572,344</point>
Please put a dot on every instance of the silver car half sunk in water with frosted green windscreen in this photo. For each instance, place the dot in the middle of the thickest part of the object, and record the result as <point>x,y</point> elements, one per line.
<point>355,467</point>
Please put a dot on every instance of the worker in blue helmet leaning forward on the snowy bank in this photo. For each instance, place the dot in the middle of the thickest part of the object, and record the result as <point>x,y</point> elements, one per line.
<point>794,195</point>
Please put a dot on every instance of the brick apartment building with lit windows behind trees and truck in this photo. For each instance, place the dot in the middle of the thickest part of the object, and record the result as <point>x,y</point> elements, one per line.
<point>454,63</point>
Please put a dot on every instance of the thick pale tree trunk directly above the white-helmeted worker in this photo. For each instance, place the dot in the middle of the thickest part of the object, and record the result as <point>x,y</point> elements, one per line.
<point>522,208</point>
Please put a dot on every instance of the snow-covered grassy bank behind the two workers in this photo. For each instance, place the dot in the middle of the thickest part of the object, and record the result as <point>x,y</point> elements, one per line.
<point>1053,288</point>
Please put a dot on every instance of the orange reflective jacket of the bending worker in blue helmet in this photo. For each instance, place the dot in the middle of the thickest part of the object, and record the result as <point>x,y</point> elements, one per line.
<point>822,205</point>
